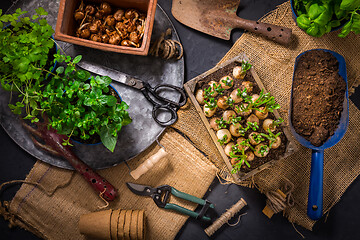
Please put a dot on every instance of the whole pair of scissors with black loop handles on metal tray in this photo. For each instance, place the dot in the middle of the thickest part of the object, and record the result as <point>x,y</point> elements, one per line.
<point>160,104</point>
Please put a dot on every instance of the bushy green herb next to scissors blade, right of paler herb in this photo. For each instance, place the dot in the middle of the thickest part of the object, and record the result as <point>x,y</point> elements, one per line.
<point>81,105</point>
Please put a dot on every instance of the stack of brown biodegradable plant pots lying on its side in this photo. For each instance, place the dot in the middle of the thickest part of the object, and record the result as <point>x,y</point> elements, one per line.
<point>114,224</point>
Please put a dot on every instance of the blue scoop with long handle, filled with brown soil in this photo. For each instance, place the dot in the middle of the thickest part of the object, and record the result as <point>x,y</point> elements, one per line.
<point>318,97</point>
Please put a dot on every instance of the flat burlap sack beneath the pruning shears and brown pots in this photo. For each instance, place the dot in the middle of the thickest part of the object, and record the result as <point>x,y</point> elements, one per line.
<point>55,212</point>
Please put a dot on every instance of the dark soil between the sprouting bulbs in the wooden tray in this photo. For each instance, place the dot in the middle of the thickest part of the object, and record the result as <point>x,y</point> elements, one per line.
<point>274,154</point>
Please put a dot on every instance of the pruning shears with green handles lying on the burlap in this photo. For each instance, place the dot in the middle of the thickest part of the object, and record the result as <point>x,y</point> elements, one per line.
<point>161,196</point>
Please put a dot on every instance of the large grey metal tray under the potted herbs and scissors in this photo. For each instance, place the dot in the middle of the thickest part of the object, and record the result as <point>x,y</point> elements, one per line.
<point>133,138</point>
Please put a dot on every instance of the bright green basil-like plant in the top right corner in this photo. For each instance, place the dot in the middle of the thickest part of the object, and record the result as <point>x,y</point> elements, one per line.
<point>317,17</point>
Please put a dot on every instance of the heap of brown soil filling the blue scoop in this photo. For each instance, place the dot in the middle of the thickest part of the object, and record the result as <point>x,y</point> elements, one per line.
<point>318,95</point>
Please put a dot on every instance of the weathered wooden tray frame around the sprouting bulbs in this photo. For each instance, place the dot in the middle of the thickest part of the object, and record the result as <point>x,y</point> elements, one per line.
<point>191,87</point>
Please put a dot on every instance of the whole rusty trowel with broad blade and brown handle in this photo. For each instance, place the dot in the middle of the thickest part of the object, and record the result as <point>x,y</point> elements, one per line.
<point>218,18</point>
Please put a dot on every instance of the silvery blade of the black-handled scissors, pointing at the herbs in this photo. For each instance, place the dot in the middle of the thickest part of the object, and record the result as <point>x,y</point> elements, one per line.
<point>113,74</point>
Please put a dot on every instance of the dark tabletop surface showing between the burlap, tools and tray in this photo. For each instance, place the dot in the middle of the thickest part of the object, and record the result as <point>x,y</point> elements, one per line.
<point>202,52</point>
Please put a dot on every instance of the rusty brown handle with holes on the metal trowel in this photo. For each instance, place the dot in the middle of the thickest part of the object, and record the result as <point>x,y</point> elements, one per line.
<point>276,33</point>
